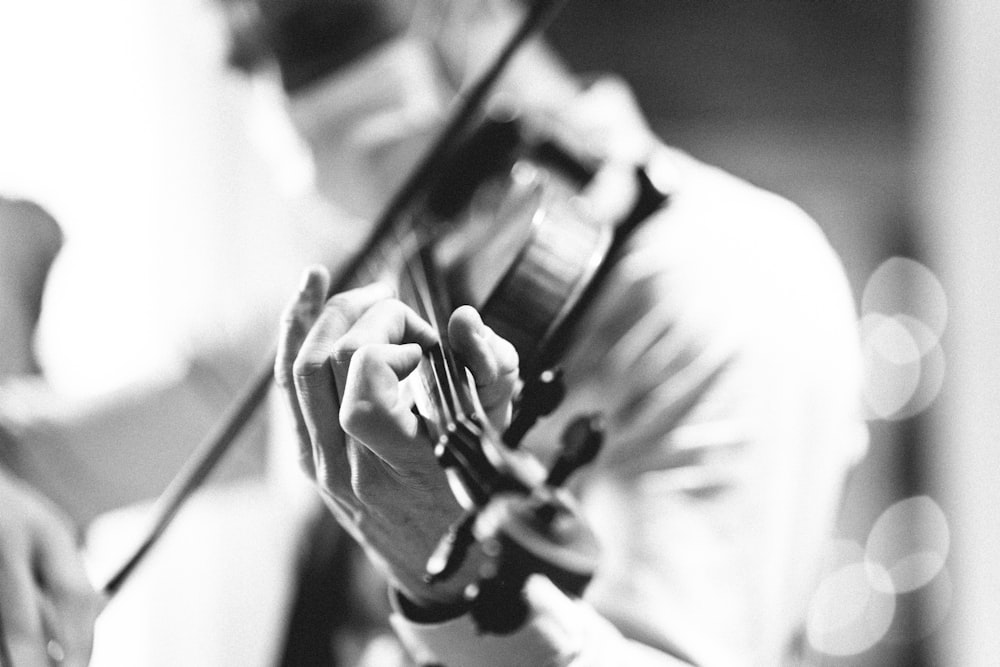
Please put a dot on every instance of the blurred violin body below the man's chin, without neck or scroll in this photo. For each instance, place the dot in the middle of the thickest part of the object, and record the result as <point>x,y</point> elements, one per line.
<point>516,246</point>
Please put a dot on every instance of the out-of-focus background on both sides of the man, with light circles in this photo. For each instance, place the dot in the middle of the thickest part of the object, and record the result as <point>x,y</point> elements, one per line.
<point>169,174</point>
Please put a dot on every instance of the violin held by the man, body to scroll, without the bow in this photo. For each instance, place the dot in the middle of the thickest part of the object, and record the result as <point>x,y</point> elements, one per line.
<point>537,262</point>
